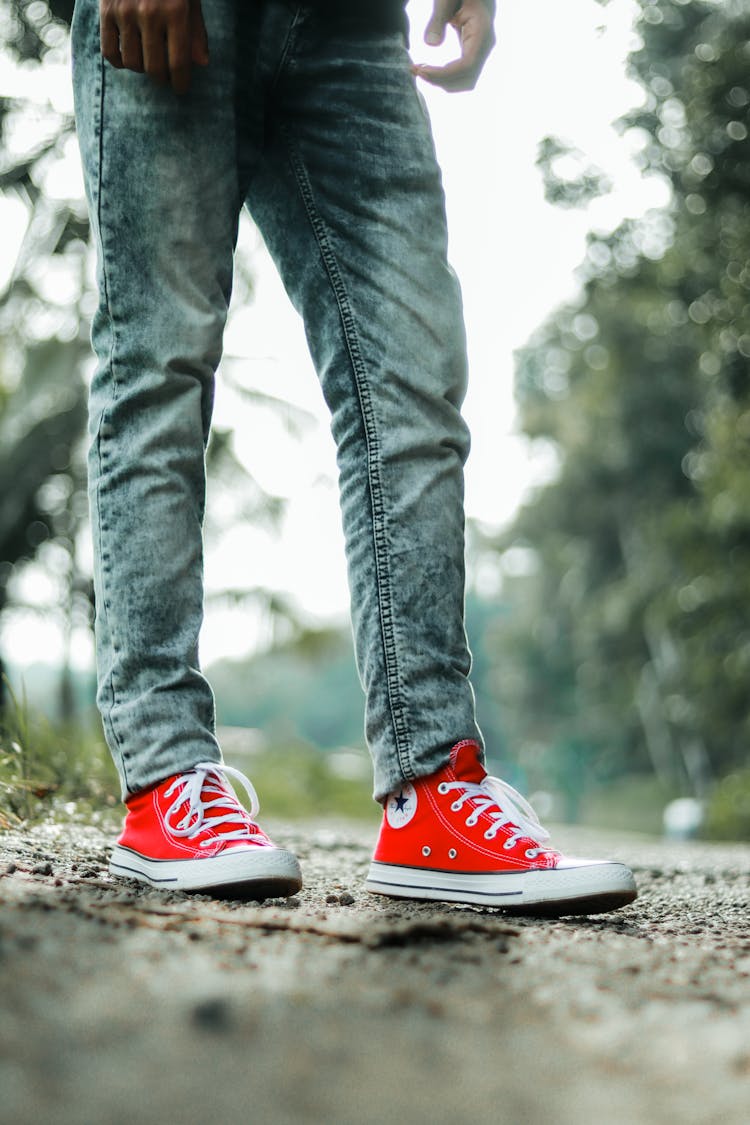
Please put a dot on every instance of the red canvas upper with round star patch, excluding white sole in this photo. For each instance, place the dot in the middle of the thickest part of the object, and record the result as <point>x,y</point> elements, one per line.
<point>460,820</point>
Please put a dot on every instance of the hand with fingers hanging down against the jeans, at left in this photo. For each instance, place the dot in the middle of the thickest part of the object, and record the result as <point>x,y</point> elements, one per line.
<point>162,39</point>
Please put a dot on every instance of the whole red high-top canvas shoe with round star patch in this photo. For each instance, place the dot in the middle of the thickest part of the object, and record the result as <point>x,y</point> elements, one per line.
<point>463,836</point>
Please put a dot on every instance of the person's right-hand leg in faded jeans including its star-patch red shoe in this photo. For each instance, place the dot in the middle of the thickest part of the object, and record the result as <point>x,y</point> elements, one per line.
<point>350,203</point>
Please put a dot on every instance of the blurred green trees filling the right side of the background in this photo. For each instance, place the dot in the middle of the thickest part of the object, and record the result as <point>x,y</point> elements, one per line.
<point>634,635</point>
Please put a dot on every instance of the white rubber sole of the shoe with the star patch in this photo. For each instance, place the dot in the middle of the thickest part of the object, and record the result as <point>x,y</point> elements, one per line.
<point>580,887</point>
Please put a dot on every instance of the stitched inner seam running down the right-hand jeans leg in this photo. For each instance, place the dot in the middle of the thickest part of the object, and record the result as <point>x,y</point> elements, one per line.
<point>397,706</point>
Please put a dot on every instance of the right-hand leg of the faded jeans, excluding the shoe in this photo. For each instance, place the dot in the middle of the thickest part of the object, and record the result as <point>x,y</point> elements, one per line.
<point>350,203</point>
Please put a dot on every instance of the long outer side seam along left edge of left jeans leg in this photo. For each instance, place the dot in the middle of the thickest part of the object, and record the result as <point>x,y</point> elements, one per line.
<point>102,455</point>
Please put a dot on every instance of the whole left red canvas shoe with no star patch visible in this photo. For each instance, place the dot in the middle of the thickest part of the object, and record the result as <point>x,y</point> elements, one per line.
<point>191,833</point>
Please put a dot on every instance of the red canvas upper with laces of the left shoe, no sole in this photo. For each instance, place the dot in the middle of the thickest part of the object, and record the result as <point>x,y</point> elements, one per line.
<point>191,816</point>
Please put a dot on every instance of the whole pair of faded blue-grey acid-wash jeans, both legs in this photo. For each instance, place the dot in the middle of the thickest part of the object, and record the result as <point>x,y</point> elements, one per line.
<point>315,127</point>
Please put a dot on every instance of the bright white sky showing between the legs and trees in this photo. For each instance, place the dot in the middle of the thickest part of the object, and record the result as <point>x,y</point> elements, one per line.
<point>558,69</point>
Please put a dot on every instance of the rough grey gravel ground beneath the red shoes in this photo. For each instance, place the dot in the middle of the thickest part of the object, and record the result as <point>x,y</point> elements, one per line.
<point>122,1005</point>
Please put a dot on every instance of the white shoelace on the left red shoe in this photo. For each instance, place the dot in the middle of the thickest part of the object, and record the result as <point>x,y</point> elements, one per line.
<point>191,788</point>
